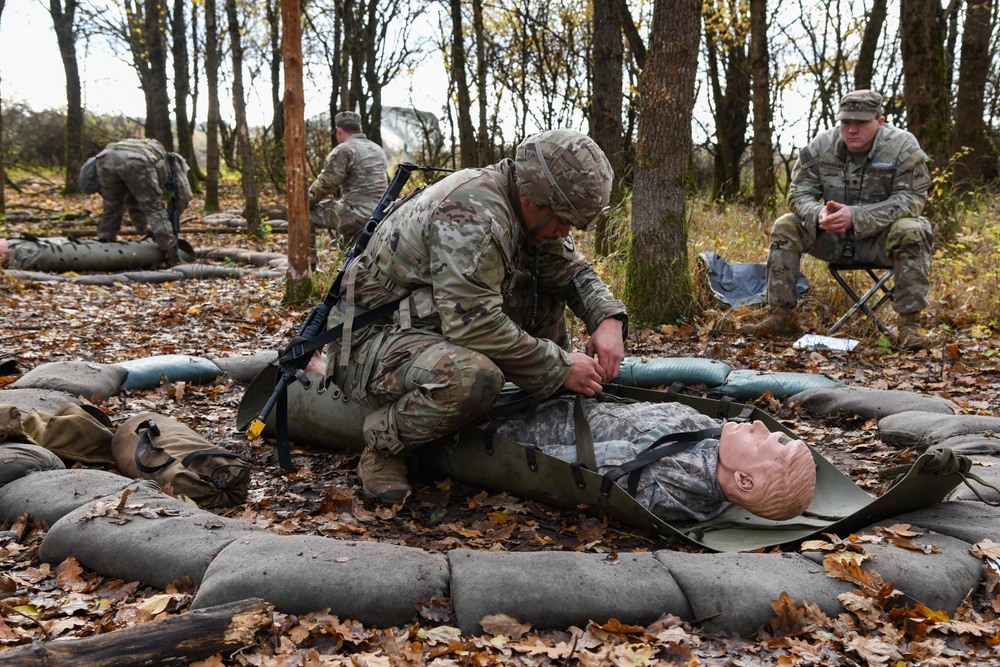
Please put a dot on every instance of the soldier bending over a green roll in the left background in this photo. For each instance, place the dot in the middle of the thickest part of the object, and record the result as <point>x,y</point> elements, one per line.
<point>135,174</point>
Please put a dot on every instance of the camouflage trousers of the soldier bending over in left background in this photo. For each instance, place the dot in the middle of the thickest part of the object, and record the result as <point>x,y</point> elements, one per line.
<point>128,180</point>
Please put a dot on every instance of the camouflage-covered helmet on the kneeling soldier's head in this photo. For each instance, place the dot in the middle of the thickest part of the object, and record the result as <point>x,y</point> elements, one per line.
<point>566,171</point>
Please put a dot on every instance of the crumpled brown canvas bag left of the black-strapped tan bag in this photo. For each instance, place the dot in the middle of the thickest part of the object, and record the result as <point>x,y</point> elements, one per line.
<point>74,433</point>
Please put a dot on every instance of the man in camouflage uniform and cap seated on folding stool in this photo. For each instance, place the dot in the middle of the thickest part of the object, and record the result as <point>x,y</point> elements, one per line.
<point>860,188</point>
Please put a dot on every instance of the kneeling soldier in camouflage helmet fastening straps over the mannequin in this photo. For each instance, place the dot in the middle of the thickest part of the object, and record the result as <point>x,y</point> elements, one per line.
<point>485,262</point>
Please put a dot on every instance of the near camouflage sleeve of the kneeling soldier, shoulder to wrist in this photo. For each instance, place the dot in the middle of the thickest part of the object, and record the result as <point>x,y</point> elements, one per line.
<point>468,291</point>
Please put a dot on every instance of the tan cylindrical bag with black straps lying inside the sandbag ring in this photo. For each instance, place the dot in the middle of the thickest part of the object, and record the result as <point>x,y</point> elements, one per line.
<point>157,447</point>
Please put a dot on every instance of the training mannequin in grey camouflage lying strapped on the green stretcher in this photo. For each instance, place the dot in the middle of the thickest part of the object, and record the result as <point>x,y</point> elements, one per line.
<point>768,474</point>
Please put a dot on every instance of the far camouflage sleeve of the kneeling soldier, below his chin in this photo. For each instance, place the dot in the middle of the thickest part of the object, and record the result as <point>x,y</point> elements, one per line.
<point>565,272</point>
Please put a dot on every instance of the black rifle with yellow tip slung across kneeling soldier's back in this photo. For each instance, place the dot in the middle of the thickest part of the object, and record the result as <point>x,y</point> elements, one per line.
<point>313,333</point>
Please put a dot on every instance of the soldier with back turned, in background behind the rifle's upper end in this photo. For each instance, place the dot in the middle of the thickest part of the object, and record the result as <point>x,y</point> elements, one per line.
<point>358,167</point>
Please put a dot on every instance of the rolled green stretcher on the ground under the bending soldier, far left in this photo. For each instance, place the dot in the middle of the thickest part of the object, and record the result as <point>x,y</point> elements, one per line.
<point>57,254</point>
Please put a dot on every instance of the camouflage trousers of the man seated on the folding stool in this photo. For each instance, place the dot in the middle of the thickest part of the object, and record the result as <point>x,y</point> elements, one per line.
<point>906,244</point>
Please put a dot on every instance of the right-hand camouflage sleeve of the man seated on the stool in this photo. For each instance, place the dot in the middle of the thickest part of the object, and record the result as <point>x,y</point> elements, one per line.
<point>910,185</point>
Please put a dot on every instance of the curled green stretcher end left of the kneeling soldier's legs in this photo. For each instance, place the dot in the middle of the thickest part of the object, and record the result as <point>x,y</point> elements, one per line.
<point>318,417</point>
